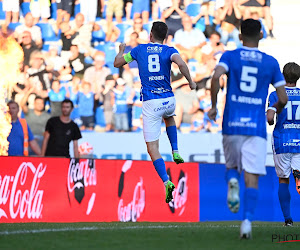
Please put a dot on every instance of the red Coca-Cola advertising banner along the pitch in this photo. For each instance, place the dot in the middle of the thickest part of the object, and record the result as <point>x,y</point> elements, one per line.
<point>68,190</point>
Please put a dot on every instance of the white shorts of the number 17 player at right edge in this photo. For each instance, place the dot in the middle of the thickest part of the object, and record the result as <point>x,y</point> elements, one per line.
<point>284,163</point>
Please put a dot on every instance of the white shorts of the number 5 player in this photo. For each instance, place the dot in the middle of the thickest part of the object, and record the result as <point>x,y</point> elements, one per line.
<point>246,153</point>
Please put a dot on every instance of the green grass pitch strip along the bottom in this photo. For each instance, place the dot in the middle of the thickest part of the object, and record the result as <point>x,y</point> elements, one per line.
<point>214,235</point>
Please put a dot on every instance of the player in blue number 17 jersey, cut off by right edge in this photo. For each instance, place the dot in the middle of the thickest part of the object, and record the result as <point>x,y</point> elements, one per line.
<point>286,138</point>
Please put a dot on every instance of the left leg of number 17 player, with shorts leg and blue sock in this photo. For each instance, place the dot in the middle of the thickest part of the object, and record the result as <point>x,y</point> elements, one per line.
<point>283,170</point>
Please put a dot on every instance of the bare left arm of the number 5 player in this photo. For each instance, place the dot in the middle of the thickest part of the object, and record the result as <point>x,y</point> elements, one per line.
<point>215,86</point>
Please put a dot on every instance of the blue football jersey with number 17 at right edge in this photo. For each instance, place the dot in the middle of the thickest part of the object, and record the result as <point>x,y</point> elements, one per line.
<point>286,134</point>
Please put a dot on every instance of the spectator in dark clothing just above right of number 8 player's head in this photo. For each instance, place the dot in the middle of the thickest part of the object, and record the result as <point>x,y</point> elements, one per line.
<point>172,15</point>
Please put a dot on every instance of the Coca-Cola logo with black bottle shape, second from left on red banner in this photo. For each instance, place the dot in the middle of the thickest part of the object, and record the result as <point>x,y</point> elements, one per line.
<point>81,175</point>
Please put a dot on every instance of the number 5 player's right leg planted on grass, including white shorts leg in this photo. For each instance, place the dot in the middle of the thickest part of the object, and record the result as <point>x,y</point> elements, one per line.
<point>254,151</point>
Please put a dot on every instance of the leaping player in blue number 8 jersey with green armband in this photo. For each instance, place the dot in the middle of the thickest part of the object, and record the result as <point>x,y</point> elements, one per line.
<point>154,63</point>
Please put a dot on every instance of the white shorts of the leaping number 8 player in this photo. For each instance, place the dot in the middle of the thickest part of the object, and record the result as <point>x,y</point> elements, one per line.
<point>153,112</point>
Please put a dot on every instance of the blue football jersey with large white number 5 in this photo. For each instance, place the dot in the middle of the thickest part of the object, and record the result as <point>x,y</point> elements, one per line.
<point>249,72</point>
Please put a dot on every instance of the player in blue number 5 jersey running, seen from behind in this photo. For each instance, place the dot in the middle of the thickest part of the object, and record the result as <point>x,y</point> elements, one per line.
<point>249,73</point>
